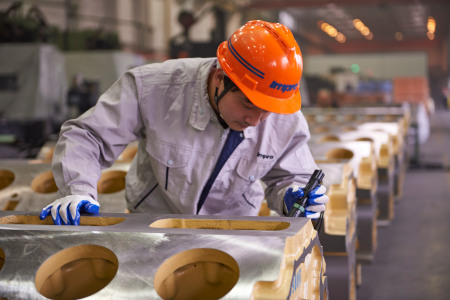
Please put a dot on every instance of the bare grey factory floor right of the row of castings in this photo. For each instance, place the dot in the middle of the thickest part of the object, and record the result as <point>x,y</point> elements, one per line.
<point>412,260</point>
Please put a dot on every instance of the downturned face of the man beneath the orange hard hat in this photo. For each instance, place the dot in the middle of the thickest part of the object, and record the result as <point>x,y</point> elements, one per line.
<point>238,112</point>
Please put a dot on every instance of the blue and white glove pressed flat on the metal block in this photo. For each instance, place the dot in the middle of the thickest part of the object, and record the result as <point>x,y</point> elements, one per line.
<point>67,210</point>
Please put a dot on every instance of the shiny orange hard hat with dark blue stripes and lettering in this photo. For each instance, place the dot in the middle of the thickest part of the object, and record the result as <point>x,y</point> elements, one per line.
<point>265,62</point>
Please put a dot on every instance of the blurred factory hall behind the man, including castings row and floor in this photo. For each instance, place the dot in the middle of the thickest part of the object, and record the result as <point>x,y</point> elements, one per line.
<point>371,61</point>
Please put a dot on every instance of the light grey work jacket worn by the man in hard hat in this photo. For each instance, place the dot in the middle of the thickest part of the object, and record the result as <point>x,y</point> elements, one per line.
<point>166,107</point>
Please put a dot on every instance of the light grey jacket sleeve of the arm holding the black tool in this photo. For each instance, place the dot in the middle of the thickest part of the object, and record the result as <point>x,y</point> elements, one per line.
<point>294,167</point>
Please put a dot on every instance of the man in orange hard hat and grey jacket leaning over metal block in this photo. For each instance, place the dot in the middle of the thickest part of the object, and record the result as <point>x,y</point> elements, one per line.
<point>209,130</point>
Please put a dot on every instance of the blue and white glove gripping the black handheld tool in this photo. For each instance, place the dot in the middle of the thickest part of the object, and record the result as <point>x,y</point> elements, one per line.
<point>315,203</point>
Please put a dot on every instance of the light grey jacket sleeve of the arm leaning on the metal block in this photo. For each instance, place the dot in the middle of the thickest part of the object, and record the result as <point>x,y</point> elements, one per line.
<point>94,140</point>
